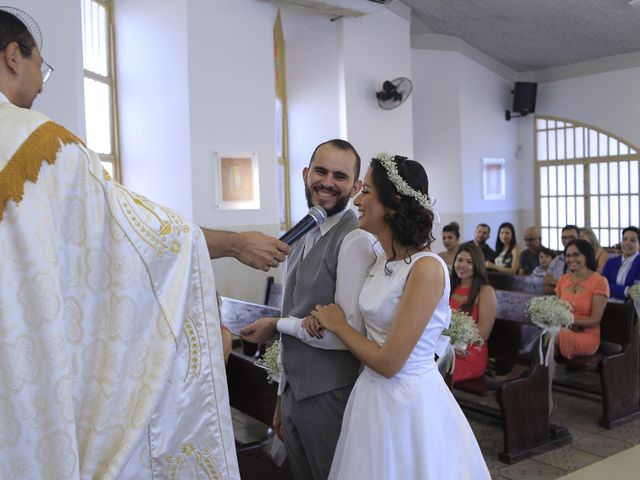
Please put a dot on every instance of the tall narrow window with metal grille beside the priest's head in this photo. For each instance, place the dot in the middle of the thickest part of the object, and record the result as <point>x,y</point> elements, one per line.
<point>99,83</point>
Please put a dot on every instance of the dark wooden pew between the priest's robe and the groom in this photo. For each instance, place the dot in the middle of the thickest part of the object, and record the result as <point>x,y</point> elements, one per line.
<point>252,394</point>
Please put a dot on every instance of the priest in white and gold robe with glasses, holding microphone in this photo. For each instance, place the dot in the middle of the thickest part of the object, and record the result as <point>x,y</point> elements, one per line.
<point>110,348</point>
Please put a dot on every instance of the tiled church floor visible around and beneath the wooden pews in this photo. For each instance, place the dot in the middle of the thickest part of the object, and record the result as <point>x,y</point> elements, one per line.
<point>591,443</point>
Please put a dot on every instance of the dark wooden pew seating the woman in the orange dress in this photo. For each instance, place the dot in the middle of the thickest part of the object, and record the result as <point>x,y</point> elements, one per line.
<point>615,362</point>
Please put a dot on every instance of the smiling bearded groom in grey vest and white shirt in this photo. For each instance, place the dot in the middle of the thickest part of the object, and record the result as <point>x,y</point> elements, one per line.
<point>328,265</point>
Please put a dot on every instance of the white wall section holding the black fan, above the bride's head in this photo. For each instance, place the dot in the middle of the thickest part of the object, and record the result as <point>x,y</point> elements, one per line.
<point>376,48</point>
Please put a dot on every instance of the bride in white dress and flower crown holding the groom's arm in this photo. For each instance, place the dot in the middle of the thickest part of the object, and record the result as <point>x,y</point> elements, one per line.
<point>401,420</point>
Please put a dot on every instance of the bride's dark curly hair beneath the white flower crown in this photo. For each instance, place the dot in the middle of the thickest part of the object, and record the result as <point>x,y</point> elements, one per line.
<point>411,223</point>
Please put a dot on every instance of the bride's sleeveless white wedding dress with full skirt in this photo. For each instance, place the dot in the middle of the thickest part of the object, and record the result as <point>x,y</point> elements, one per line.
<point>408,426</point>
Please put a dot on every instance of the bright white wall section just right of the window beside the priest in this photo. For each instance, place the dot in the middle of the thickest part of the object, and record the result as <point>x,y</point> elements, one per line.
<point>153,100</point>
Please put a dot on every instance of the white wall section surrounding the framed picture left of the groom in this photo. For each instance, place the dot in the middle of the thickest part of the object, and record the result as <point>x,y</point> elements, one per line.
<point>232,101</point>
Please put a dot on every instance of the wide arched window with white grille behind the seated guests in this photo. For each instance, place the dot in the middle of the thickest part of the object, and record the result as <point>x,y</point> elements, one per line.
<point>586,177</point>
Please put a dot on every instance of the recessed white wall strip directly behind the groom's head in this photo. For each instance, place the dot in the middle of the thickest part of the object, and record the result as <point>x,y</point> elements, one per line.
<point>312,54</point>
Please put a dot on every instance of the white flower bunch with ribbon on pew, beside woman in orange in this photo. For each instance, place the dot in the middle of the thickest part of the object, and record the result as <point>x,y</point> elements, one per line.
<point>551,314</point>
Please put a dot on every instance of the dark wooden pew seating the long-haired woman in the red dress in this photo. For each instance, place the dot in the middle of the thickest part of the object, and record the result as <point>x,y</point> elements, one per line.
<point>524,401</point>
